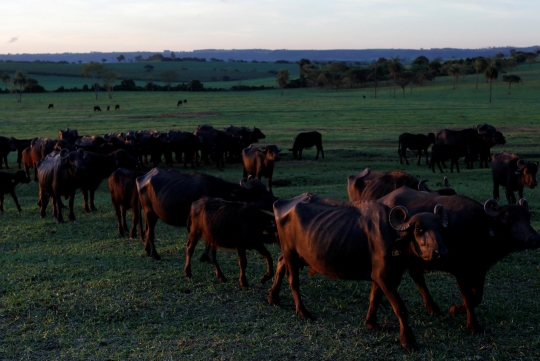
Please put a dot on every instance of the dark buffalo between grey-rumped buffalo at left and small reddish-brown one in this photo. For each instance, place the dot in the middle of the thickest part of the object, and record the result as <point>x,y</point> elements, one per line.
<point>101,166</point>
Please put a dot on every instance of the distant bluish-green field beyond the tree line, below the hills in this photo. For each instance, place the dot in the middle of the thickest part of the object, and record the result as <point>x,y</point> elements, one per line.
<point>54,75</point>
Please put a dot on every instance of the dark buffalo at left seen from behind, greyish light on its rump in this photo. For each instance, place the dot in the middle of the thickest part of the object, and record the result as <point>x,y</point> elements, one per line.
<point>59,174</point>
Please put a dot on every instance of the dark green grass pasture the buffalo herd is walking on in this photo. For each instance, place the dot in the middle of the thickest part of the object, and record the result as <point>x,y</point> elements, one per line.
<point>78,291</point>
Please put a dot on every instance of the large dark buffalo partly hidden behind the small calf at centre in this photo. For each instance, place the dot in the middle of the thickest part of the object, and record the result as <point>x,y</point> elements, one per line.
<point>168,195</point>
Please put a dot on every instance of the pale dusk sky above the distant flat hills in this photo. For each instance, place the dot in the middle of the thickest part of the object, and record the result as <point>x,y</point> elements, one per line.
<point>79,26</point>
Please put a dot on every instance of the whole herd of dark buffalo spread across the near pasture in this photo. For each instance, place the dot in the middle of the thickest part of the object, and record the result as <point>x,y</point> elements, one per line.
<point>392,223</point>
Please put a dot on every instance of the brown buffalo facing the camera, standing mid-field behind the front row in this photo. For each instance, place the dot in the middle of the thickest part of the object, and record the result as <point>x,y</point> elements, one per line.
<point>259,162</point>
